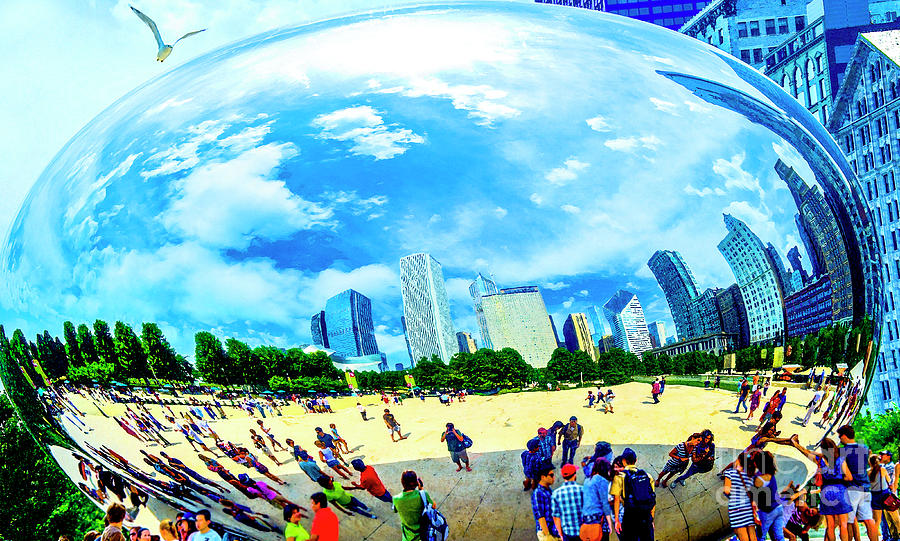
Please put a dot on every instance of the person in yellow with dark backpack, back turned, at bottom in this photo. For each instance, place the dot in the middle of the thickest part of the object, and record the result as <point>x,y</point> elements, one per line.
<point>633,490</point>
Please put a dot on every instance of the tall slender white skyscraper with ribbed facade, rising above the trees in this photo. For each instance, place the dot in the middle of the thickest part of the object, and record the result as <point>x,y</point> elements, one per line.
<point>426,309</point>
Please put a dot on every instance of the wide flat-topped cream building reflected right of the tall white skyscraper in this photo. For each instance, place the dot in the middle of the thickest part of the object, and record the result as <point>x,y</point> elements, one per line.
<point>517,318</point>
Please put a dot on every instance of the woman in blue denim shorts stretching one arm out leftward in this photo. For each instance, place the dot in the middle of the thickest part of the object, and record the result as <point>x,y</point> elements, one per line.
<point>835,474</point>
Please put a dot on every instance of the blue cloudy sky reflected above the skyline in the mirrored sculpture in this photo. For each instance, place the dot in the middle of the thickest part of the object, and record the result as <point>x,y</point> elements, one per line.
<point>238,193</point>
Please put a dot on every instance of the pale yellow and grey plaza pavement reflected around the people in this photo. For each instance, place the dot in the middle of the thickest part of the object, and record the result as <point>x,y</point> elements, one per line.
<point>488,503</point>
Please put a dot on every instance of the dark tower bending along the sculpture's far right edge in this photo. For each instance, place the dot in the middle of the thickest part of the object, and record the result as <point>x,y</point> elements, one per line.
<point>823,233</point>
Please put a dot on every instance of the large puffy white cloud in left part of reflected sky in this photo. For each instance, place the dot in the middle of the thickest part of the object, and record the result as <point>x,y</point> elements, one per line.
<point>228,204</point>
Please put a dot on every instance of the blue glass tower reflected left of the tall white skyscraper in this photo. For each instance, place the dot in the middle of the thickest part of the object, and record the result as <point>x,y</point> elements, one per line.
<point>348,321</point>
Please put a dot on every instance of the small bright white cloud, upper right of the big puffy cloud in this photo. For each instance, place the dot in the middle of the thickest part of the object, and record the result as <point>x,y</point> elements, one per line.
<point>364,127</point>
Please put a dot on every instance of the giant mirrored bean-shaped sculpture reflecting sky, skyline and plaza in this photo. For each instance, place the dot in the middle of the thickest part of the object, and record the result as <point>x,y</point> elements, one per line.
<point>434,182</point>
